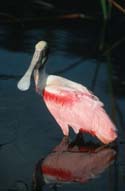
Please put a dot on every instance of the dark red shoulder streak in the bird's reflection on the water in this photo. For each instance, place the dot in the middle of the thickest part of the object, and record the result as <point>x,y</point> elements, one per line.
<point>59,173</point>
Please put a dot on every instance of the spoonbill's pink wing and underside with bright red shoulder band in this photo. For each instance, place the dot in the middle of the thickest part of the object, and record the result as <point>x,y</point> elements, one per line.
<point>79,109</point>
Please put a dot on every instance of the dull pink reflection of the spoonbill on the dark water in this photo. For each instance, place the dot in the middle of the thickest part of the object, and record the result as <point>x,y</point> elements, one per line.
<point>72,162</point>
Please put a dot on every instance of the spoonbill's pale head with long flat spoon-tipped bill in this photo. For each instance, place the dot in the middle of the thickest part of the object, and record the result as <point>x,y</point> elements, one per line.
<point>37,66</point>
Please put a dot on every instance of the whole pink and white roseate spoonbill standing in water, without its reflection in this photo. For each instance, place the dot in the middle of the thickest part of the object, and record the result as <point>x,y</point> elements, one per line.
<point>70,103</point>
